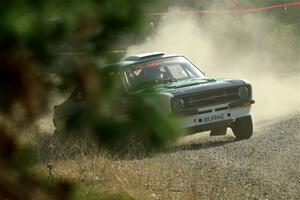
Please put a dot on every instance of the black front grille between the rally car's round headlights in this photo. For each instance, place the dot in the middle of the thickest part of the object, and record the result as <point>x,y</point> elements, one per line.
<point>215,97</point>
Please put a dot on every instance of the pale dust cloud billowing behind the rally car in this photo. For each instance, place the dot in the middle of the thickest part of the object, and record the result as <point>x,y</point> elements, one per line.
<point>254,46</point>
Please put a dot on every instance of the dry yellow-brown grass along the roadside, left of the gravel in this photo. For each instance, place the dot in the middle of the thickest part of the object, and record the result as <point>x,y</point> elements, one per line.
<point>100,172</point>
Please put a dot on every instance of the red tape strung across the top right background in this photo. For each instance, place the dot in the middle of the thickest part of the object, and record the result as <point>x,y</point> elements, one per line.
<point>247,10</point>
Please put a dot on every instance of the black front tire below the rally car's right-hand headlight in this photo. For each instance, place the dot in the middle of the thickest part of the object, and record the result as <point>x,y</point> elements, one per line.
<point>242,128</point>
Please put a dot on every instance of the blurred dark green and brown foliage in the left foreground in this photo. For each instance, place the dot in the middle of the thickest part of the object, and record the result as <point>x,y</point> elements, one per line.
<point>47,45</point>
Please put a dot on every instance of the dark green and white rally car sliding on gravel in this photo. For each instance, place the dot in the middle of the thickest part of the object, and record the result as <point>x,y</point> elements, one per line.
<point>201,102</point>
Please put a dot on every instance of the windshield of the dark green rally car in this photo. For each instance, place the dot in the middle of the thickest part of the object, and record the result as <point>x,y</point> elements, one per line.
<point>161,71</point>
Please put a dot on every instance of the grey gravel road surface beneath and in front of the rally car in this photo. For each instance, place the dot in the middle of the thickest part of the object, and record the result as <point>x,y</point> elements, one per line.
<point>267,166</point>
